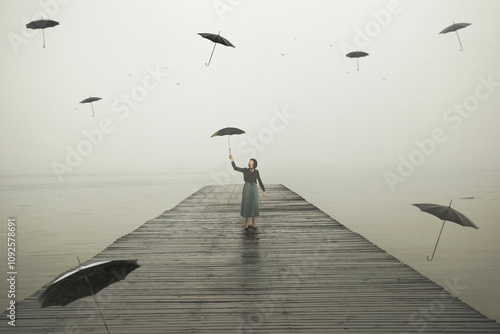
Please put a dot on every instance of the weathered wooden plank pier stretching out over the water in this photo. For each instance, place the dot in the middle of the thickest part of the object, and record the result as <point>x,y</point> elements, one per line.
<point>300,272</point>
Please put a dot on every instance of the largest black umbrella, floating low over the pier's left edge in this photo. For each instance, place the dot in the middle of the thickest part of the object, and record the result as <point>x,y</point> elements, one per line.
<point>85,281</point>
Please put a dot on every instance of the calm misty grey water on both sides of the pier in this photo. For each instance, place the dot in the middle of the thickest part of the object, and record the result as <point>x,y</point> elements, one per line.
<point>56,222</point>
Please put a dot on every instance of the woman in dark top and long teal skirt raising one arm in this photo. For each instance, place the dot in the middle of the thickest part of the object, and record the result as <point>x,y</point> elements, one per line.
<point>250,196</point>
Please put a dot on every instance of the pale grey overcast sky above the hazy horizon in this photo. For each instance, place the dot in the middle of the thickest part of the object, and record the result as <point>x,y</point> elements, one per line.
<point>287,83</point>
